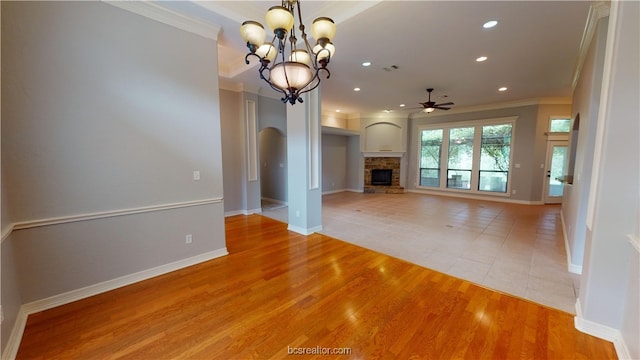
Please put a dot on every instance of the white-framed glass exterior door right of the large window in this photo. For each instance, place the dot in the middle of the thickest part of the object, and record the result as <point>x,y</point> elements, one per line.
<point>556,170</point>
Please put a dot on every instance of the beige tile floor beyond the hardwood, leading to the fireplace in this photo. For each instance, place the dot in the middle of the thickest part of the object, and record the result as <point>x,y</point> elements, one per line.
<point>516,249</point>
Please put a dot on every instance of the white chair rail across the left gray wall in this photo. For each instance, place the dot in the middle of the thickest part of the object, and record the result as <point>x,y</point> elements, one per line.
<point>113,213</point>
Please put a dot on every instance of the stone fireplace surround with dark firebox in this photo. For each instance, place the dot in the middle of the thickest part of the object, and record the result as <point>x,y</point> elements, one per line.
<point>373,184</point>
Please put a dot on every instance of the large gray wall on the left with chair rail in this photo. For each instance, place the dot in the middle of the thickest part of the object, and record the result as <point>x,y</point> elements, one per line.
<point>103,110</point>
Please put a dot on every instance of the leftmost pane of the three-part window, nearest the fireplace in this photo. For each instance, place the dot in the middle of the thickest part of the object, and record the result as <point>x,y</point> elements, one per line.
<point>431,150</point>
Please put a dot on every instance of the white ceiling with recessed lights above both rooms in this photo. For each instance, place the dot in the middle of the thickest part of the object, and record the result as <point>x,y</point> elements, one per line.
<point>533,50</point>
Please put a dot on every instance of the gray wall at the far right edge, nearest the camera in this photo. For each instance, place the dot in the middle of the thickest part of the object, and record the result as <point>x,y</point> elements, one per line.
<point>609,285</point>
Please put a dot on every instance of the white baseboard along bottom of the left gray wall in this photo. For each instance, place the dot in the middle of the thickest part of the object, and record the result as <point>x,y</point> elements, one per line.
<point>74,295</point>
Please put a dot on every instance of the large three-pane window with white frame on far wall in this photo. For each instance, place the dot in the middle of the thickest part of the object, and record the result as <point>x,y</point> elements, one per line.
<point>471,156</point>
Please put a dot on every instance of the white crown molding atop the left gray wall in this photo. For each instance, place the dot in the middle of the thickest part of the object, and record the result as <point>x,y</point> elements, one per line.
<point>154,11</point>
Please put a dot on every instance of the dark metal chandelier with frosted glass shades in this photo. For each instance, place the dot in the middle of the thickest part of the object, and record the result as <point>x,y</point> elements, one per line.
<point>286,68</point>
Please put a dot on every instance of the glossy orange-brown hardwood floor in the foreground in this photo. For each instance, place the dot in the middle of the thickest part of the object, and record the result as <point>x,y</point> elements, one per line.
<point>278,290</point>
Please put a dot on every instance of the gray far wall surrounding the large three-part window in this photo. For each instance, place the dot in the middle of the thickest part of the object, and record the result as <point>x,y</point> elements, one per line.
<point>529,148</point>
